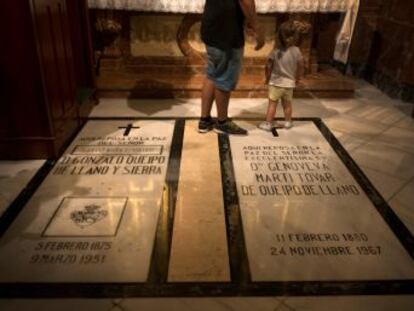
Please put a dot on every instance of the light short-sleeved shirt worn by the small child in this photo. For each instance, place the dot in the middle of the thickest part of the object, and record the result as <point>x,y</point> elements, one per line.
<point>285,66</point>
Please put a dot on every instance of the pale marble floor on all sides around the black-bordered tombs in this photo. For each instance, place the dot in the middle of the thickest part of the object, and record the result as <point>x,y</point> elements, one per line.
<point>377,131</point>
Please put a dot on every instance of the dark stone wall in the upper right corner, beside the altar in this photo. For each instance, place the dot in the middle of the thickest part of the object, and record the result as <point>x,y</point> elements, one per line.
<point>383,47</point>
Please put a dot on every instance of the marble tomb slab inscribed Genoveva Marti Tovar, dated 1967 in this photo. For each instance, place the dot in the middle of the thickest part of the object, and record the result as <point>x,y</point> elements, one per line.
<point>305,217</point>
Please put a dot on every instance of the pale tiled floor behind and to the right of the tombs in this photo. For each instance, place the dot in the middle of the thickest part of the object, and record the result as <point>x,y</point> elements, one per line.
<point>376,130</point>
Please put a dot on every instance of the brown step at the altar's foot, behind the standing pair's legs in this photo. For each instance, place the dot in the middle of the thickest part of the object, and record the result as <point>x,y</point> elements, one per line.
<point>158,84</point>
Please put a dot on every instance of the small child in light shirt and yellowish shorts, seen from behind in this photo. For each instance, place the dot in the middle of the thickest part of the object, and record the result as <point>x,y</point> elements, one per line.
<point>285,67</point>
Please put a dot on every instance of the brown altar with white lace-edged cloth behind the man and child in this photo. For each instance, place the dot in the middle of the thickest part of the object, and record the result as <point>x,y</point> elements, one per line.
<point>153,48</point>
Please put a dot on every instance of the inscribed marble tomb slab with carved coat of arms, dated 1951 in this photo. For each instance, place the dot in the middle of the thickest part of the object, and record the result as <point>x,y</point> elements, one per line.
<point>94,217</point>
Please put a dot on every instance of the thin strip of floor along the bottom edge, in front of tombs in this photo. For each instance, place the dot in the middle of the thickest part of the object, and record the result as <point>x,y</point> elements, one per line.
<point>325,303</point>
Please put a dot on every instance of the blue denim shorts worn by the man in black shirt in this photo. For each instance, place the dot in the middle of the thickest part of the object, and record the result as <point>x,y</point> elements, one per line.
<point>224,67</point>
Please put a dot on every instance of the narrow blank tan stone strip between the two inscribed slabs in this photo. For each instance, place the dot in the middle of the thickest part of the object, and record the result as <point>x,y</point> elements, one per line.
<point>199,243</point>
